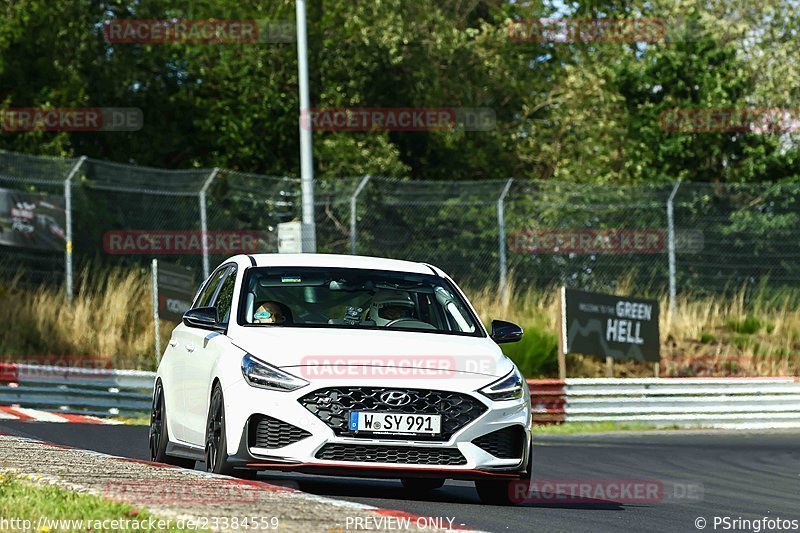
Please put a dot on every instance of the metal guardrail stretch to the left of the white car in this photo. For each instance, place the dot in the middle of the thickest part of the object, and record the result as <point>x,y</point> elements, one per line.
<point>99,392</point>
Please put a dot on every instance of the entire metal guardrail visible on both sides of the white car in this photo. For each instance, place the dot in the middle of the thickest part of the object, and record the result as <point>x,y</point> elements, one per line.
<point>708,402</point>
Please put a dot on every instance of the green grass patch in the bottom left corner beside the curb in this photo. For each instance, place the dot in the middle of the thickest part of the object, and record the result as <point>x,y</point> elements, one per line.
<point>24,499</point>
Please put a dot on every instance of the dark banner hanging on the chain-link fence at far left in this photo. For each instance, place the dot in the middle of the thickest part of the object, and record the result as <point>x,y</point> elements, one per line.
<point>32,220</point>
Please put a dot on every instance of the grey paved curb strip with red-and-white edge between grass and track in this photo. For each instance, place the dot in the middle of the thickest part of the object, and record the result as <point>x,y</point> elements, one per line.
<point>175,493</point>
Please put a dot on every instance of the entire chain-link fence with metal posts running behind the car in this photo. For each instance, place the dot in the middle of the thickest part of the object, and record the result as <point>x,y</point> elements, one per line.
<point>663,237</point>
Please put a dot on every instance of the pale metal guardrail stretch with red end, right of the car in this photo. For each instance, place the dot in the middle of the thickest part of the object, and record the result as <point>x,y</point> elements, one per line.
<point>686,402</point>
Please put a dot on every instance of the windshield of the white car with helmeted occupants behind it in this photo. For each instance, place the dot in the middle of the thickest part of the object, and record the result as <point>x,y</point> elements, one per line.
<point>353,298</point>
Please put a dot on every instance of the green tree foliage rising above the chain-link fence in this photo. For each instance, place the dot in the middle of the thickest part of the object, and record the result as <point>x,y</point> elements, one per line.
<point>582,111</point>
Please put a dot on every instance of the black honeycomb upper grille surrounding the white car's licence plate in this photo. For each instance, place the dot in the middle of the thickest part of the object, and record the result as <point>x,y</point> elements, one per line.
<point>333,406</point>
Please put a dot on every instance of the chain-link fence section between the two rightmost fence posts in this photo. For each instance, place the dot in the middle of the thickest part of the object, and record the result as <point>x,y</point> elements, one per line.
<point>589,236</point>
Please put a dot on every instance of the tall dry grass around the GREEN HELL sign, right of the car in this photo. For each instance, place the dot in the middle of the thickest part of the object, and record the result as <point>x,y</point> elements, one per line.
<point>751,333</point>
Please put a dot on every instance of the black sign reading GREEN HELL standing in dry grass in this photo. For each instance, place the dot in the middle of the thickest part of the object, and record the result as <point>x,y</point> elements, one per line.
<point>620,327</point>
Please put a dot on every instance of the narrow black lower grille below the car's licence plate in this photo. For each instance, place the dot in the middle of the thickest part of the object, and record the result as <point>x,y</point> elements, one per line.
<point>364,453</point>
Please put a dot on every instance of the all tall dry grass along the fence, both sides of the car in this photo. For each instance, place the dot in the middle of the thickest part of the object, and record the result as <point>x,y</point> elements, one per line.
<point>111,318</point>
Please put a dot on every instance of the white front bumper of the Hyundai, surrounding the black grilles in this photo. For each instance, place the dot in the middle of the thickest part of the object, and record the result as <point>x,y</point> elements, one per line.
<point>369,456</point>
